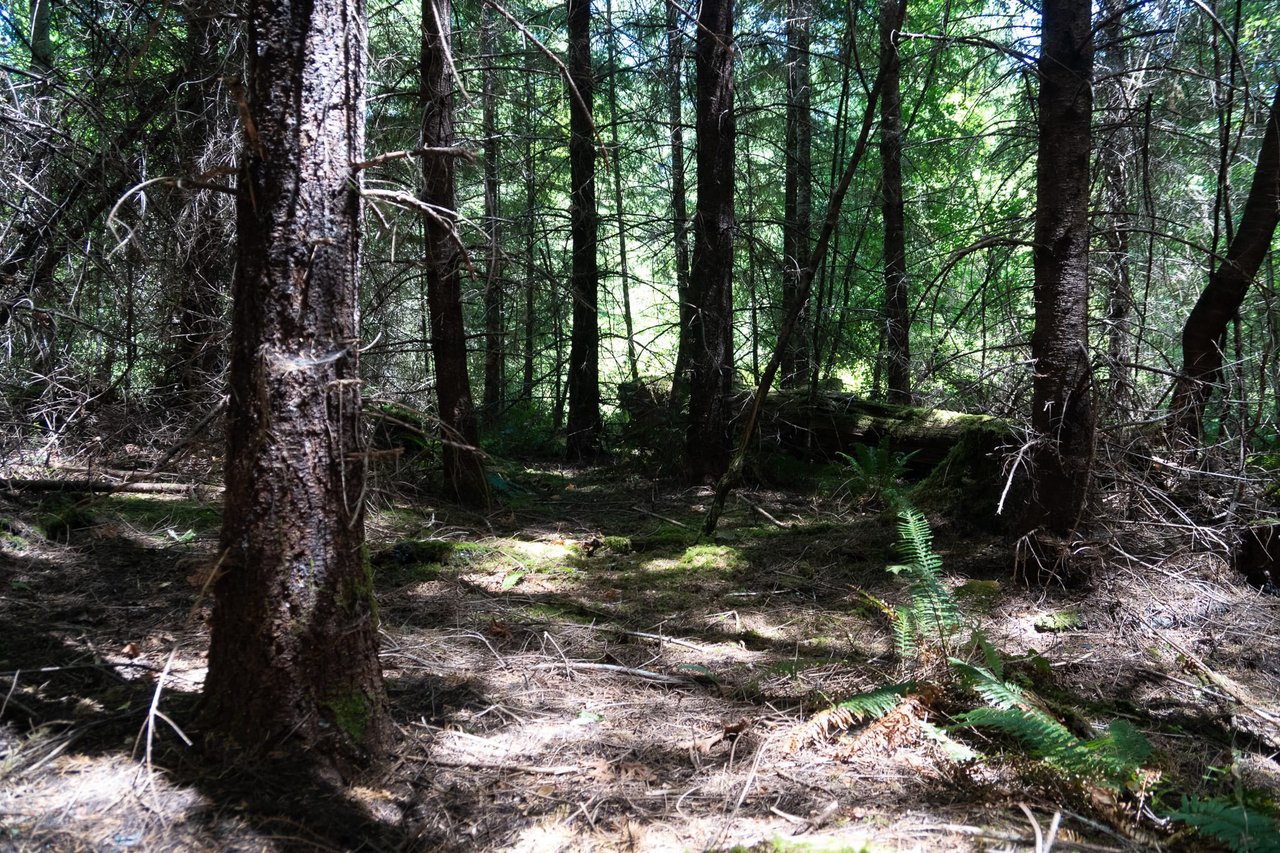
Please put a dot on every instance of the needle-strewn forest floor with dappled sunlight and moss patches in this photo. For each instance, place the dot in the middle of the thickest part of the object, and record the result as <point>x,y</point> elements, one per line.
<point>579,672</point>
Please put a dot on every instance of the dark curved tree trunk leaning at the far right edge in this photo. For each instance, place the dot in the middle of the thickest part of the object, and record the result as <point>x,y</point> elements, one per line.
<point>1203,335</point>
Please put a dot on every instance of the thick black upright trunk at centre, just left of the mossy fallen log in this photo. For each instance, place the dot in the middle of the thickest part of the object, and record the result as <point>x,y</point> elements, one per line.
<point>712,275</point>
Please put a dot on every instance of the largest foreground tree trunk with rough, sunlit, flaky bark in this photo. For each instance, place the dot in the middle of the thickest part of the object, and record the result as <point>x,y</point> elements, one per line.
<point>294,662</point>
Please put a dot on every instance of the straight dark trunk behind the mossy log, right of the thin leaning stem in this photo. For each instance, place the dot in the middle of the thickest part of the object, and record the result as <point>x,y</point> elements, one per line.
<point>898,311</point>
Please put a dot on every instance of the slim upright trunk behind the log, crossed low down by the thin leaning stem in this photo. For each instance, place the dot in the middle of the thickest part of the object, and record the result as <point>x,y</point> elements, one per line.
<point>798,194</point>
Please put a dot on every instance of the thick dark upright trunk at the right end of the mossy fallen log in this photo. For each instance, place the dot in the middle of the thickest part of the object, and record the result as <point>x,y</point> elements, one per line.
<point>1062,408</point>
